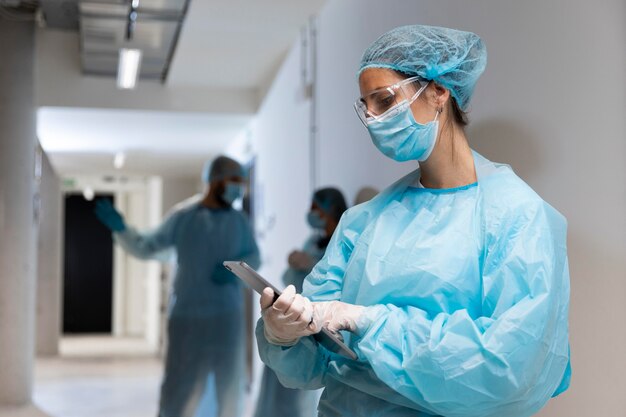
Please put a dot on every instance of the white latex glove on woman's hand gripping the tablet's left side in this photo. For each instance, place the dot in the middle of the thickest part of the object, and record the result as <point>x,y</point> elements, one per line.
<point>288,318</point>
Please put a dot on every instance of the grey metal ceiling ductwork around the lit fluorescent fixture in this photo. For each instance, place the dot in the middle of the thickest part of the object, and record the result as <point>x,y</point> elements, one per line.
<point>107,26</point>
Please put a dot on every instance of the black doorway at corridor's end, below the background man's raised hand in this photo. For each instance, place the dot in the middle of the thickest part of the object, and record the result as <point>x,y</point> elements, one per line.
<point>88,280</point>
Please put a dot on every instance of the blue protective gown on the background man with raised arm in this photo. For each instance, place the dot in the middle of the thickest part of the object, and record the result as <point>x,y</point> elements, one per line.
<point>206,324</point>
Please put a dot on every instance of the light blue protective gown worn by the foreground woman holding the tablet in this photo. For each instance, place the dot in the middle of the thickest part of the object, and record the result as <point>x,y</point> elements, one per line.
<point>467,290</point>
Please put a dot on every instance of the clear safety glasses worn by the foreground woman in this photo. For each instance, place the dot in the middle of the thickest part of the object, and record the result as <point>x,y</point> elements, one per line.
<point>384,103</point>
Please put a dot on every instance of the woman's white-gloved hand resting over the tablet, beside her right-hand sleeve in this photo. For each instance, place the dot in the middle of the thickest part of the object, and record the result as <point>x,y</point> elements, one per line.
<point>337,315</point>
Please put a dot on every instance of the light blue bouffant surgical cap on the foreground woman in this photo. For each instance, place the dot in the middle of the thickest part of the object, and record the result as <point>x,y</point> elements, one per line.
<point>452,58</point>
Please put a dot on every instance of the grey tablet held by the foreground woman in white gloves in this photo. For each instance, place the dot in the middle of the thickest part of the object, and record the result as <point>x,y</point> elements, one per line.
<point>258,284</point>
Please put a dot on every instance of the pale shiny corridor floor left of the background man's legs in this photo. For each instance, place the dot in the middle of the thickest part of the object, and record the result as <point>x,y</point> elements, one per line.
<point>97,378</point>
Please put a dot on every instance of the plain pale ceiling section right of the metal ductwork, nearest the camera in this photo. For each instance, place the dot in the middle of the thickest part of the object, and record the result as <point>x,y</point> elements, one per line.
<point>237,43</point>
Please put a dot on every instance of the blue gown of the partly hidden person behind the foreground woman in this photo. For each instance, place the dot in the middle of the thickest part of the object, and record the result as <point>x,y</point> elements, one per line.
<point>276,400</point>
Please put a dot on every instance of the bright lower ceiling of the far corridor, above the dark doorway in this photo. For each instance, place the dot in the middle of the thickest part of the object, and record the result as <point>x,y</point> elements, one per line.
<point>84,141</point>
